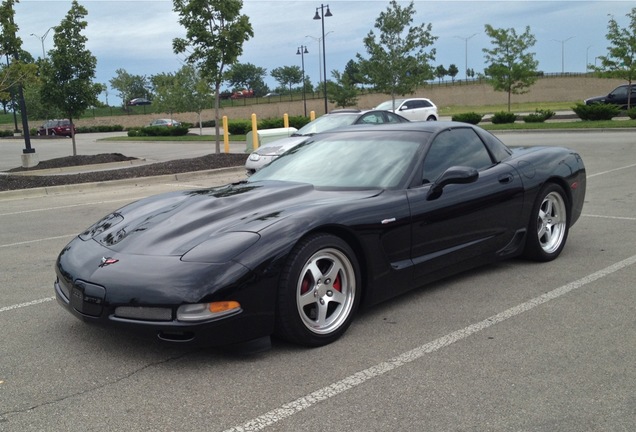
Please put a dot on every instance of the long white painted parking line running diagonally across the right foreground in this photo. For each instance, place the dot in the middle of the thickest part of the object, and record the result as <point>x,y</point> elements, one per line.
<point>291,408</point>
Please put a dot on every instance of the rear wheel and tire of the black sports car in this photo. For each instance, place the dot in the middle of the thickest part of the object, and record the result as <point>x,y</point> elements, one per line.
<point>549,224</point>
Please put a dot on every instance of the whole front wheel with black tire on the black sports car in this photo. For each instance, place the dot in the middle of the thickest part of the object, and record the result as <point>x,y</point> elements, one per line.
<point>319,291</point>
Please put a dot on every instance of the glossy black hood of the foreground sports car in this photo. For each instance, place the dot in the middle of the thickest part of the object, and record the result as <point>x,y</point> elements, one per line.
<point>174,223</point>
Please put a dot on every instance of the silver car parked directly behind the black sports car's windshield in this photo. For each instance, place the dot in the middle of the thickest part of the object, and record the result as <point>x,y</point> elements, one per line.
<point>335,119</point>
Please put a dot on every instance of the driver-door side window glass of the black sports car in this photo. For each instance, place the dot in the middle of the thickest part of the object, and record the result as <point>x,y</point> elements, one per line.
<point>455,147</point>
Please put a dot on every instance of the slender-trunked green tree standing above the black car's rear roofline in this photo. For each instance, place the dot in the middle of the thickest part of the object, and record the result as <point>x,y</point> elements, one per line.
<point>511,68</point>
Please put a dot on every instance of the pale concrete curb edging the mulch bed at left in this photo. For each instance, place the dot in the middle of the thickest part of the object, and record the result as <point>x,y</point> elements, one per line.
<point>137,181</point>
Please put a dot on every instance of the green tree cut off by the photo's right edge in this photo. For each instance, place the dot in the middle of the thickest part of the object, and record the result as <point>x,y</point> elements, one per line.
<point>620,60</point>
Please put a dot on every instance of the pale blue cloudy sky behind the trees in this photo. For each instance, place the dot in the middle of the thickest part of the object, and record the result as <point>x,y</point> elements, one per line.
<point>137,35</point>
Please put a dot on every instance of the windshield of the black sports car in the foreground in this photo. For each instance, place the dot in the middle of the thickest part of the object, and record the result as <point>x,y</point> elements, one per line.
<point>360,159</point>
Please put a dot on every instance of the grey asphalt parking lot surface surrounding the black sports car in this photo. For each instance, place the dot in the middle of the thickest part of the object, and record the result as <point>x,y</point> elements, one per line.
<point>516,346</point>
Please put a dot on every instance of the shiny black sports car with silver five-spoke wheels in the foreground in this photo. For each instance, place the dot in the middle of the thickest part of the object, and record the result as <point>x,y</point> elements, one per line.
<point>349,217</point>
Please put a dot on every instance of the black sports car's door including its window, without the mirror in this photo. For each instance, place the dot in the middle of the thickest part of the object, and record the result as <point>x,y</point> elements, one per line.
<point>466,220</point>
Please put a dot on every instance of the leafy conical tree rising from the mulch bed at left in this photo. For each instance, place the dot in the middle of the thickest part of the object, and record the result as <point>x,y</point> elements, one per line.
<point>68,75</point>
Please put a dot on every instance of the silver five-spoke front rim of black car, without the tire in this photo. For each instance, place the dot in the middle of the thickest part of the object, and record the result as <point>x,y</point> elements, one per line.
<point>325,293</point>
